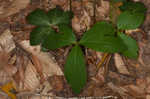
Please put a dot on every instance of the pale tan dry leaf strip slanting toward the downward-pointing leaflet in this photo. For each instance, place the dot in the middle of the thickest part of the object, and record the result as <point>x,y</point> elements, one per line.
<point>50,67</point>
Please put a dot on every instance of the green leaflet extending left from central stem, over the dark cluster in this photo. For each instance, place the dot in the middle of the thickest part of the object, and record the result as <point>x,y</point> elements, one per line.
<point>57,40</point>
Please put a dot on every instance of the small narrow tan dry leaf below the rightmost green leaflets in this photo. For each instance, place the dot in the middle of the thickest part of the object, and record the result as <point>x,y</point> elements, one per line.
<point>120,64</point>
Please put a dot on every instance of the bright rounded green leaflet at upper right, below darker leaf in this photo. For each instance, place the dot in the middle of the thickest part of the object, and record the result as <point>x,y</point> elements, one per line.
<point>128,20</point>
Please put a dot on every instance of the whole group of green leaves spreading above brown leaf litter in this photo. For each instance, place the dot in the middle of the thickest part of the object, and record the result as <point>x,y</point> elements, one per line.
<point>103,37</point>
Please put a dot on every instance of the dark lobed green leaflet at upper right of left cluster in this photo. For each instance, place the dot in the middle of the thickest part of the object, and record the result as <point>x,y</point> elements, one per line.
<point>58,16</point>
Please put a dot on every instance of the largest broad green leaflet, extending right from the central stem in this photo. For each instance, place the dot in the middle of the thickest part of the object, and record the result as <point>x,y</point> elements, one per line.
<point>101,37</point>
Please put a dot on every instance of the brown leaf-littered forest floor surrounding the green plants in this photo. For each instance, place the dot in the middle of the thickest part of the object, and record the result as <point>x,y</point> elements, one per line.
<point>39,75</point>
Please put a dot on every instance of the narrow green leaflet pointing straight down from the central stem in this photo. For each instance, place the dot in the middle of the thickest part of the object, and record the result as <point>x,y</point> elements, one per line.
<point>75,70</point>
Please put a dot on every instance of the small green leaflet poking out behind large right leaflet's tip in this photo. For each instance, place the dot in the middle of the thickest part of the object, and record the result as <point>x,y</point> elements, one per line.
<point>132,51</point>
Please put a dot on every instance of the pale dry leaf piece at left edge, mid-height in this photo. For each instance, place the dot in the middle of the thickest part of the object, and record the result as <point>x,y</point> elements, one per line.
<point>6,41</point>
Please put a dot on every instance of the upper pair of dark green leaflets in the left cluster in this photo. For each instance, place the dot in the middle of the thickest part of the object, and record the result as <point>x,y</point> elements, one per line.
<point>55,16</point>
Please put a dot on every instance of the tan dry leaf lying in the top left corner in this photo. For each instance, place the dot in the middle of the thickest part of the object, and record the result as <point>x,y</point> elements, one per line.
<point>14,7</point>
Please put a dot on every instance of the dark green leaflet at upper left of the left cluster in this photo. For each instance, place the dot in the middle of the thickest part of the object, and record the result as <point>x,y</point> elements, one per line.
<point>38,17</point>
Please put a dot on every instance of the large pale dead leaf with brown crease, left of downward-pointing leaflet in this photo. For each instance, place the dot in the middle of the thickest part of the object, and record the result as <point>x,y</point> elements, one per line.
<point>41,68</point>
